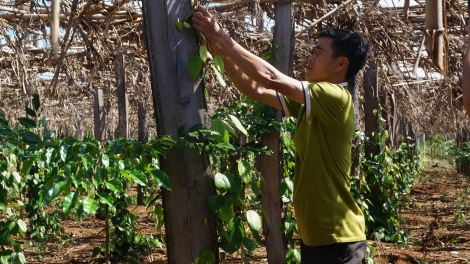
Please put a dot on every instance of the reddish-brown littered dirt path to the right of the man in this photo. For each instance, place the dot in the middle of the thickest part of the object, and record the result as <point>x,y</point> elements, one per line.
<point>440,199</point>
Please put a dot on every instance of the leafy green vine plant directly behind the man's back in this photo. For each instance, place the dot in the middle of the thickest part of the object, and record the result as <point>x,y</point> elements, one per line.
<point>389,177</point>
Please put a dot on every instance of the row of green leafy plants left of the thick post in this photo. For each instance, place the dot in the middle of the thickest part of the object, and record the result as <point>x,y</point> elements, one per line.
<point>83,177</point>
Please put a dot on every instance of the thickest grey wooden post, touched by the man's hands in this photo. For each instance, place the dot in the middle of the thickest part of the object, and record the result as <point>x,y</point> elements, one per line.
<point>178,101</point>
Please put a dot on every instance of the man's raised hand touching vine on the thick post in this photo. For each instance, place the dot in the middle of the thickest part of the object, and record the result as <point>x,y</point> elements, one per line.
<point>206,24</point>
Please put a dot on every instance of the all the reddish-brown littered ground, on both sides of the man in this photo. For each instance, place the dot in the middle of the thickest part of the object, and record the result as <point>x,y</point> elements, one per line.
<point>436,237</point>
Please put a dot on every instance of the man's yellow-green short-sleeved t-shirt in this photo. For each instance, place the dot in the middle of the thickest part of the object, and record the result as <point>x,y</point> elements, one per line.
<point>325,210</point>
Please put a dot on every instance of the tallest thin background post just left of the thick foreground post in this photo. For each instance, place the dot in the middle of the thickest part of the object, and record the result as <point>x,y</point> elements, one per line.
<point>123,108</point>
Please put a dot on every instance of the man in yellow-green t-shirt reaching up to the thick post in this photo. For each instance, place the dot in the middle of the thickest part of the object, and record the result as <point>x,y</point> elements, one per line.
<point>331,225</point>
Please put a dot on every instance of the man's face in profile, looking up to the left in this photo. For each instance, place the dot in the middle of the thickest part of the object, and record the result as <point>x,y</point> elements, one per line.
<point>321,64</point>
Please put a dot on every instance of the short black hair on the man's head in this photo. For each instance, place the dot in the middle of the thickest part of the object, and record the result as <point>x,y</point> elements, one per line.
<point>349,44</point>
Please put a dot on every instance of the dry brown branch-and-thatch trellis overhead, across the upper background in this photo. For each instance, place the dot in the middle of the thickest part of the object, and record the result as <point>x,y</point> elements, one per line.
<point>91,34</point>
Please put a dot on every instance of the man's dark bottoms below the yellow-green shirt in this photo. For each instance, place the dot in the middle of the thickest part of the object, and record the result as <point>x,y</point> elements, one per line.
<point>350,253</point>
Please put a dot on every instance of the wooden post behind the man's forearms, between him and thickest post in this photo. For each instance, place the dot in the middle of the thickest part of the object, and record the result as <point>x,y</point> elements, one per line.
<point>271,166</point>
